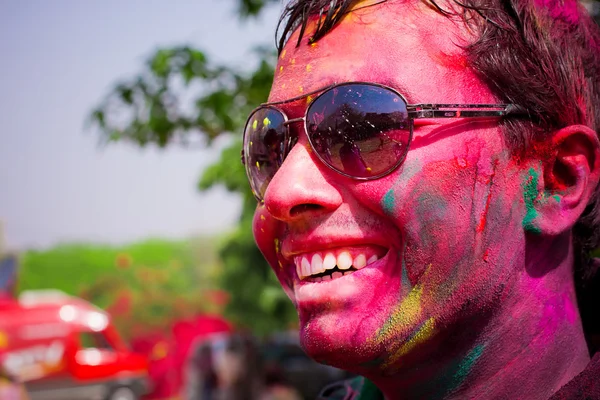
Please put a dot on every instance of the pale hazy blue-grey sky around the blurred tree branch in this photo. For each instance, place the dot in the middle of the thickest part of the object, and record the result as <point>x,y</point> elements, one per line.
<point>59,58</point>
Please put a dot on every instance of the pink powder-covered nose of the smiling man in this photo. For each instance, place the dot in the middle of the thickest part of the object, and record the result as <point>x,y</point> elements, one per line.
<point>300,189</point>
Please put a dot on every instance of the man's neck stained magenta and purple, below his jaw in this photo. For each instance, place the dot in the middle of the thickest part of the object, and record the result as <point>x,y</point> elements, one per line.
<point>531,345</point>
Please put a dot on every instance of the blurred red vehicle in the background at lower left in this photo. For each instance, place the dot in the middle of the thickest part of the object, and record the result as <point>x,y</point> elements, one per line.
<point>63,347</point>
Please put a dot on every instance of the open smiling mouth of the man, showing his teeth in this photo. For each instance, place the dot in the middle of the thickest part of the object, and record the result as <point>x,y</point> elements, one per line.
<point>335,263</point>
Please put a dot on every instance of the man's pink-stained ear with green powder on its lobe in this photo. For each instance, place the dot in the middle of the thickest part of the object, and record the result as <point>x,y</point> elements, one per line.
<point>571,175</point>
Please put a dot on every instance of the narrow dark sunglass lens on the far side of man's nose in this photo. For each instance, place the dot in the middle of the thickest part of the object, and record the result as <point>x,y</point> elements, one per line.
<point>264,147</point>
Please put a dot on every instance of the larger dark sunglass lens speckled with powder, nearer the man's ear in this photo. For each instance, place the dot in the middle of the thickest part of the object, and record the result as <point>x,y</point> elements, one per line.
<point>360,130</point>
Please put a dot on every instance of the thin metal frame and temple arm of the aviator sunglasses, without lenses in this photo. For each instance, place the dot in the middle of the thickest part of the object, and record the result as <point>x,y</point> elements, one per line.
<point>415,111</point>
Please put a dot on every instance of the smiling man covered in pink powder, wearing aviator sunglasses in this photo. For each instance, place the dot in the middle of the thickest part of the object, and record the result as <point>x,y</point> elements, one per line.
<point>434,197</point>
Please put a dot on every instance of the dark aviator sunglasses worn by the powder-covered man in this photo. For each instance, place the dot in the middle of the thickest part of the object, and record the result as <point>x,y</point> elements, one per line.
<point>360,130</point>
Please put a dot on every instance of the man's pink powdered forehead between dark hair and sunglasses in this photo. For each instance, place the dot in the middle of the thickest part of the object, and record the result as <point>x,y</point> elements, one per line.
<point>405,44</point>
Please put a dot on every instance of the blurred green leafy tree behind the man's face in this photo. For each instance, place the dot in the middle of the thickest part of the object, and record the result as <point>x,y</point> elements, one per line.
<point>148,109</point>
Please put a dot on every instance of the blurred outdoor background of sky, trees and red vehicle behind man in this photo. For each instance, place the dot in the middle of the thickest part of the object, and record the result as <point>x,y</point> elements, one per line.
<point>128,268</point>
